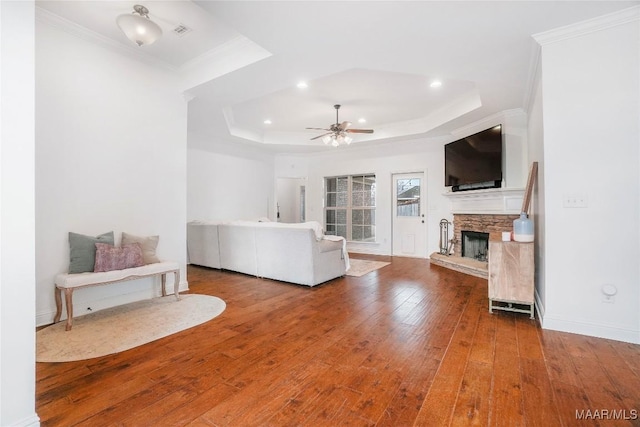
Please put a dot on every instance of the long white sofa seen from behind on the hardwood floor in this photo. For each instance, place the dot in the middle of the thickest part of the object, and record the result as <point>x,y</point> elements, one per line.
<point>295,253</point>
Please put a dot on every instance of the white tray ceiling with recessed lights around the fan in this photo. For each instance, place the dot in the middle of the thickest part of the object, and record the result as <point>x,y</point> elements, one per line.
<point>375,58</point>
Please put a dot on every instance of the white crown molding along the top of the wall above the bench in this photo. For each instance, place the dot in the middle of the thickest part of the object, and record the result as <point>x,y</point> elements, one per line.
<point>46,17</point>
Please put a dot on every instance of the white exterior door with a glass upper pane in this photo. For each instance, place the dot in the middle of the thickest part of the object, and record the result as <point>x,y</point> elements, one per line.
<point>409,220</point>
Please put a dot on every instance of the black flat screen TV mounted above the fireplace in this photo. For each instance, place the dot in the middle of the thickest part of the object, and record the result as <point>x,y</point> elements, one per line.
<point>474,162</point>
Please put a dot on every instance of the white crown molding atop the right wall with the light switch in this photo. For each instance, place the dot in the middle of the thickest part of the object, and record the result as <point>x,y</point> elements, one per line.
<point>588,26</point>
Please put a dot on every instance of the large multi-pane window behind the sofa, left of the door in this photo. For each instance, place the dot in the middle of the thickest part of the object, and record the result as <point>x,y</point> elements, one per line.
<point>350,207</point>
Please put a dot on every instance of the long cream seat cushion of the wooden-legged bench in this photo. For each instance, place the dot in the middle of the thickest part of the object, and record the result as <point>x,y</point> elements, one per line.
<point>67,280</point>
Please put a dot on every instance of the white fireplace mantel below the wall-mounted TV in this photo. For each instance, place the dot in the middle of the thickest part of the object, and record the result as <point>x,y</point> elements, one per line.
<point>507,201</point>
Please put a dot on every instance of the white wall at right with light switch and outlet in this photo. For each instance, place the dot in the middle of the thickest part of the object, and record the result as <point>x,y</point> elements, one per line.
<point>591,146</point>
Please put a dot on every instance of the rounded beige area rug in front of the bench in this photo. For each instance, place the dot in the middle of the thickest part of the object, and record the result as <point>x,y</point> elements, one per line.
<point>124,327</point>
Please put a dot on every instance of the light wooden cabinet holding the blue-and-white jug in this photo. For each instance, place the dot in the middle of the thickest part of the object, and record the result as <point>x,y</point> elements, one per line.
<point>511,271</point>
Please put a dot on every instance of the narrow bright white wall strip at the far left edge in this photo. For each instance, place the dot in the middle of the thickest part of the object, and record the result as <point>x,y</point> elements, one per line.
<point>17,213</point>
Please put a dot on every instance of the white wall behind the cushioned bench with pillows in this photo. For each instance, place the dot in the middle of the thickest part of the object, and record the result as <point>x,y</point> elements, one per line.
<point>111,135</point>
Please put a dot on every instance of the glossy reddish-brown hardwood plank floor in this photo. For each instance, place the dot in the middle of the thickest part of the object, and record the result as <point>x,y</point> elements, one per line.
<point>409,344</point>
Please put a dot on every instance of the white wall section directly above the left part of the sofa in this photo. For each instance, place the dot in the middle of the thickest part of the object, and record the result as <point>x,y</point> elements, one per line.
<point>224,187</point>
